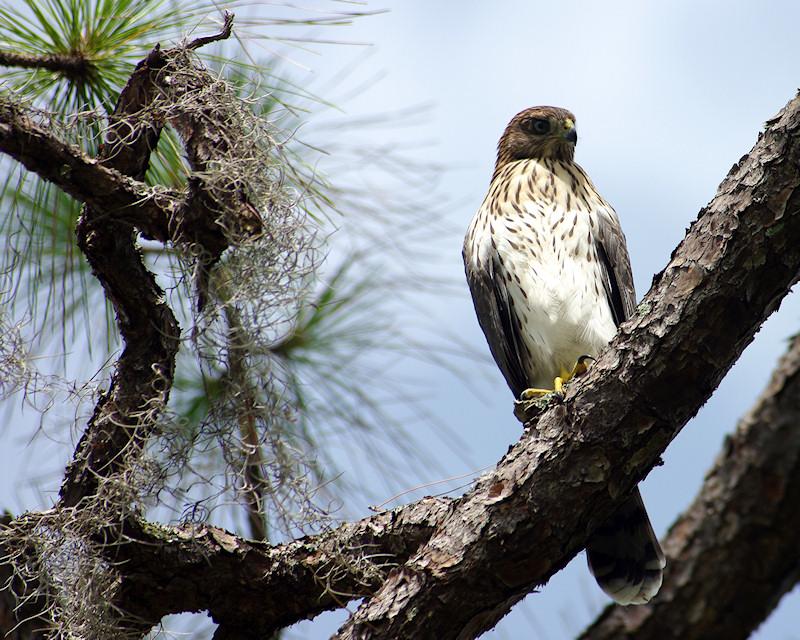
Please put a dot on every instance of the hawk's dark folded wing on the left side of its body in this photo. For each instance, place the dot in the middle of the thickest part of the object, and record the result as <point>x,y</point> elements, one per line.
<point>498,320</point>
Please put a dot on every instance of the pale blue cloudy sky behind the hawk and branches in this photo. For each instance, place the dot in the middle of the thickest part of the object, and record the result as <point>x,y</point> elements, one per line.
<point>668,95</point>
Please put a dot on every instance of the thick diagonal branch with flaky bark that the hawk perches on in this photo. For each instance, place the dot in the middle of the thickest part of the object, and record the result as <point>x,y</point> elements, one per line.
<point>526,520</point>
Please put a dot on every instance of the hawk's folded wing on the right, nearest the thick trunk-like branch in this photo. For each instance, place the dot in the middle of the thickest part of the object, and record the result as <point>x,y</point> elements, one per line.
<point>616,267</point>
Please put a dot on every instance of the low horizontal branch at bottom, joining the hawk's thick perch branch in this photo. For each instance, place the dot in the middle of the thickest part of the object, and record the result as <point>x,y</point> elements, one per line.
<point>253,589</point>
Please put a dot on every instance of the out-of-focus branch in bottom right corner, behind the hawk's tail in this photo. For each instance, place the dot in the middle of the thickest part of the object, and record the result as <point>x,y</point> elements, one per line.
<point>733,554</point>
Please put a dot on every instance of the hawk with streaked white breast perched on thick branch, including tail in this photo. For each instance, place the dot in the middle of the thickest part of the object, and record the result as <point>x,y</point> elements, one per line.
<point>550,278</point>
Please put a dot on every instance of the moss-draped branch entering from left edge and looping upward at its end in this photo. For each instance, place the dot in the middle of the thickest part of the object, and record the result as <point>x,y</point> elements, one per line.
<point>209,216</point>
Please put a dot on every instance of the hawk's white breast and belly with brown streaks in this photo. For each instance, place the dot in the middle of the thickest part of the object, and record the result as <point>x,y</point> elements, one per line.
<point>539,221</point>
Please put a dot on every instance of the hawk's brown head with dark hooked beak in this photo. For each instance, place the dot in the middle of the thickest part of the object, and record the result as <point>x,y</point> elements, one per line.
<point>538,133</point>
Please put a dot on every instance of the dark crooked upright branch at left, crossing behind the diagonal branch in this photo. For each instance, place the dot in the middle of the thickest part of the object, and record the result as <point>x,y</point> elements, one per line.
<point>126,414</point>
